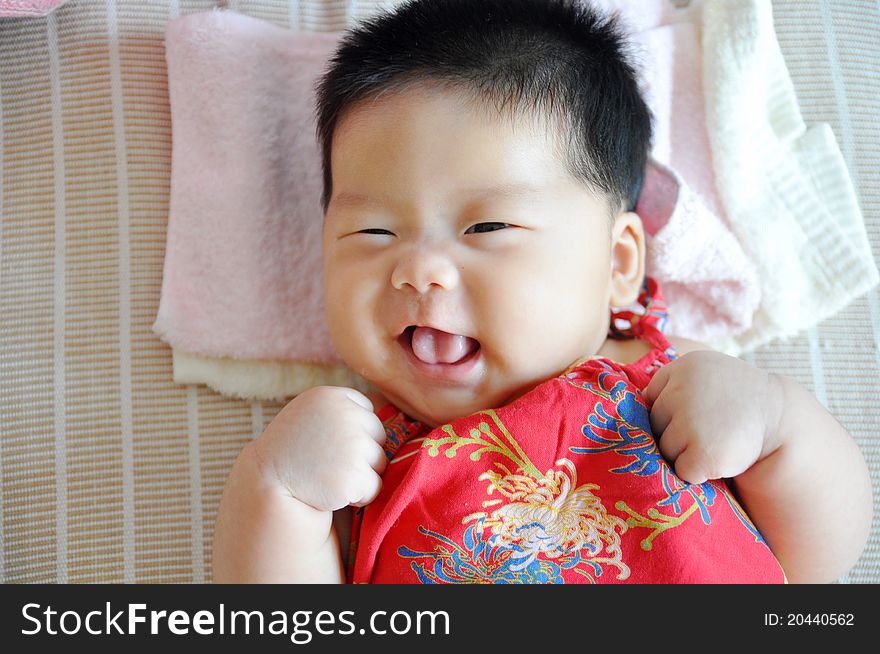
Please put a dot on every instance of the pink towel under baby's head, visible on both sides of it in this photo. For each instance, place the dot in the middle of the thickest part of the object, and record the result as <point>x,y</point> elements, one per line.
<point>242,267</point>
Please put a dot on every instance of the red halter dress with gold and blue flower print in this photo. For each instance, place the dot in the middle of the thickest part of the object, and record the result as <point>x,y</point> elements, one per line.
<point>564,485</point>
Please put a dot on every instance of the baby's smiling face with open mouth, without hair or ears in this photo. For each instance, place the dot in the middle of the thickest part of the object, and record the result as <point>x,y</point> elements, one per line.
<point>462,266</point>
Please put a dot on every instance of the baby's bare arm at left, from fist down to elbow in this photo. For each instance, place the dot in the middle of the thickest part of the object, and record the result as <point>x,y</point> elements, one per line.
<point>320,454</point>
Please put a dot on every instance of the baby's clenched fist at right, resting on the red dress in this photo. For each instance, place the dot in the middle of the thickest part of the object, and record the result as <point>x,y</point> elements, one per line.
<point>714,416</point>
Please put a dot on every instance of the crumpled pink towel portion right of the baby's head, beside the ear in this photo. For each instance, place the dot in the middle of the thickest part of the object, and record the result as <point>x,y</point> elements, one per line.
<point>711,286</point>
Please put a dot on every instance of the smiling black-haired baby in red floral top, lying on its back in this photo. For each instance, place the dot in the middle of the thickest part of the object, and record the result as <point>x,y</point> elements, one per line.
<point>482,162</point>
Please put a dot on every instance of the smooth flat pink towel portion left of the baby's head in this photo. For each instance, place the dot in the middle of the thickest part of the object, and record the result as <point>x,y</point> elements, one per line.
<point>242,275</point>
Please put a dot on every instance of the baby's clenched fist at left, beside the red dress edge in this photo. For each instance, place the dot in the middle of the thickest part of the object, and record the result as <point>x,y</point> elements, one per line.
<point>325,448</point>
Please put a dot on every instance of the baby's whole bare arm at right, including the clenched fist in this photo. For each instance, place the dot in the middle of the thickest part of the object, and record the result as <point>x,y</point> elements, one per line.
<point>799,474</point>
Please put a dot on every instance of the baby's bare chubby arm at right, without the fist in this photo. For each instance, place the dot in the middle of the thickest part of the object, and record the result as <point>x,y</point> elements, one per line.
<point>810,493</point>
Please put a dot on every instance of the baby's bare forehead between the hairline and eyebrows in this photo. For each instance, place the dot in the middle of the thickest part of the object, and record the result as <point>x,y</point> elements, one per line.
<point>427,145</point>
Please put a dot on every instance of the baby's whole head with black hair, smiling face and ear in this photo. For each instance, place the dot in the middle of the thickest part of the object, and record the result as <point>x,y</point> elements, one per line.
<point>481,162</point>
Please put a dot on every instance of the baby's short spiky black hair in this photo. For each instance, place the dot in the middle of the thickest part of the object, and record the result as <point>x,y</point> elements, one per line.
<point>557,59</point>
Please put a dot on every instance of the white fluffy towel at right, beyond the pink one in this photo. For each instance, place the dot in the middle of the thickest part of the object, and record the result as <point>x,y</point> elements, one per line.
<point>785,187</point>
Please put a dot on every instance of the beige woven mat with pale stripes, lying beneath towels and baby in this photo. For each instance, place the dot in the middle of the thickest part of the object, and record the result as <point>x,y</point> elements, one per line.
<point>109,471</point>
